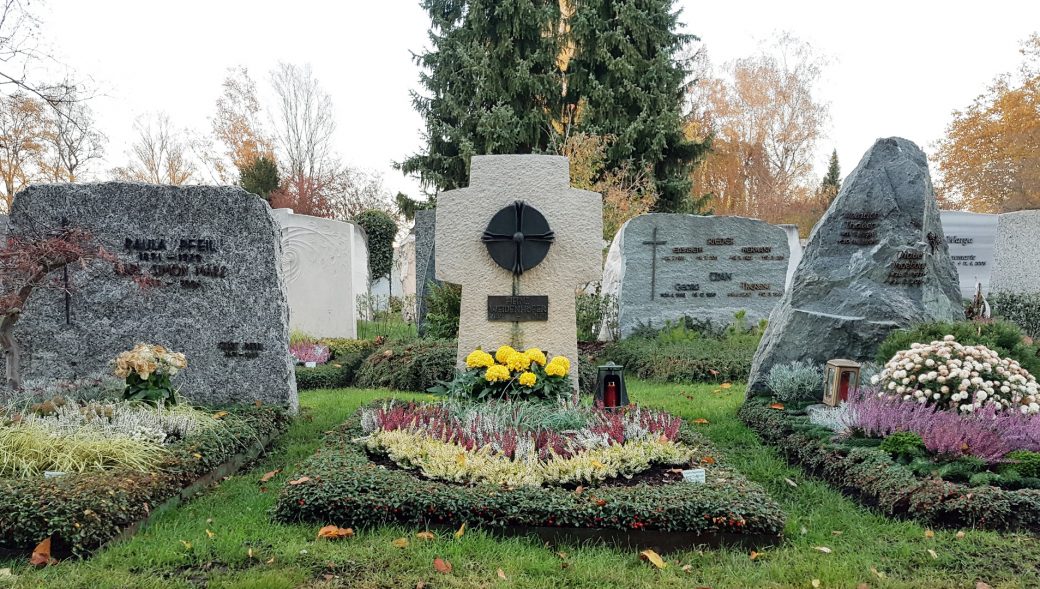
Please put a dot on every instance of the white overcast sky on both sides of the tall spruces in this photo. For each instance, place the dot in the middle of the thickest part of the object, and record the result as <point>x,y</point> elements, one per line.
<point>898,68</point>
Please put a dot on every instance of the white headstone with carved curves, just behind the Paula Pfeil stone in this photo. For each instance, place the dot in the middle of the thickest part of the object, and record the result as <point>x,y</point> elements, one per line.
<point>326,267</point>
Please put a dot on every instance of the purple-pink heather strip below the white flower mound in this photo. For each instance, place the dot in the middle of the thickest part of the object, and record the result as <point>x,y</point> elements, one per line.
<point>987,433</point>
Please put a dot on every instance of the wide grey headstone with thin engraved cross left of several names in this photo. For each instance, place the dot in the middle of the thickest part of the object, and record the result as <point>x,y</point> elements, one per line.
<point>706,268</point>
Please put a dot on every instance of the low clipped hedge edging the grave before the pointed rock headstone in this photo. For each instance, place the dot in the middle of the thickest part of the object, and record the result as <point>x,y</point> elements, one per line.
<point>872,476</point>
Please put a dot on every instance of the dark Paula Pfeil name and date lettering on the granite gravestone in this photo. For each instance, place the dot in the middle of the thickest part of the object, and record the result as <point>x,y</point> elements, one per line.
<point>187,263</point>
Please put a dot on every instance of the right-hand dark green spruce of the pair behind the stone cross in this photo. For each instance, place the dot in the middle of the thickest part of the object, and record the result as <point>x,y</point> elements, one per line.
<point>627,81</point>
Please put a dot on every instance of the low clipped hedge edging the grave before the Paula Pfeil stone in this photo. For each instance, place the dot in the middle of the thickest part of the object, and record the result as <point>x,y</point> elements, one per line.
<point>82,513</point>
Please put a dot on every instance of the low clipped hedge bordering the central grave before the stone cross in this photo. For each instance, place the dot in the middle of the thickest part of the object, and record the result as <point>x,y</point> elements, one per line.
<point>345,488</point>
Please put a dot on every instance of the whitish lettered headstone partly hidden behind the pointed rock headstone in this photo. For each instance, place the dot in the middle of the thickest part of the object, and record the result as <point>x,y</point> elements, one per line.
<point>971,237</point>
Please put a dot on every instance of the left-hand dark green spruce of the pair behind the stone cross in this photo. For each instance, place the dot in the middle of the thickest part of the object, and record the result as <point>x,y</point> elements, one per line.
<point>489,83</point>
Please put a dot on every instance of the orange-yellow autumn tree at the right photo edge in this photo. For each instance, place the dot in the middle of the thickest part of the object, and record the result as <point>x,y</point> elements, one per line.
<point>990,161</point>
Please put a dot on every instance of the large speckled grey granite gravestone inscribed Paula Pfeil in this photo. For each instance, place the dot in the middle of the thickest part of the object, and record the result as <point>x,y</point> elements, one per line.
<point>213,254</point>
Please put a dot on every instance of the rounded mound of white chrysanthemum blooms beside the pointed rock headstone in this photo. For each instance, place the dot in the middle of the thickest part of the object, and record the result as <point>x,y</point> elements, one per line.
<point>959,378</point>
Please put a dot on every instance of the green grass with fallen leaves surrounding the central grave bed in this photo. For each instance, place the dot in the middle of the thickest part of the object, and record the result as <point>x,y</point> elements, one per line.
<point>207,543</point>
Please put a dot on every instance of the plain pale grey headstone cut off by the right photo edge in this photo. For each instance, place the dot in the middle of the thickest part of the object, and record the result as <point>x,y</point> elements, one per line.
<point>1018,250</point>
